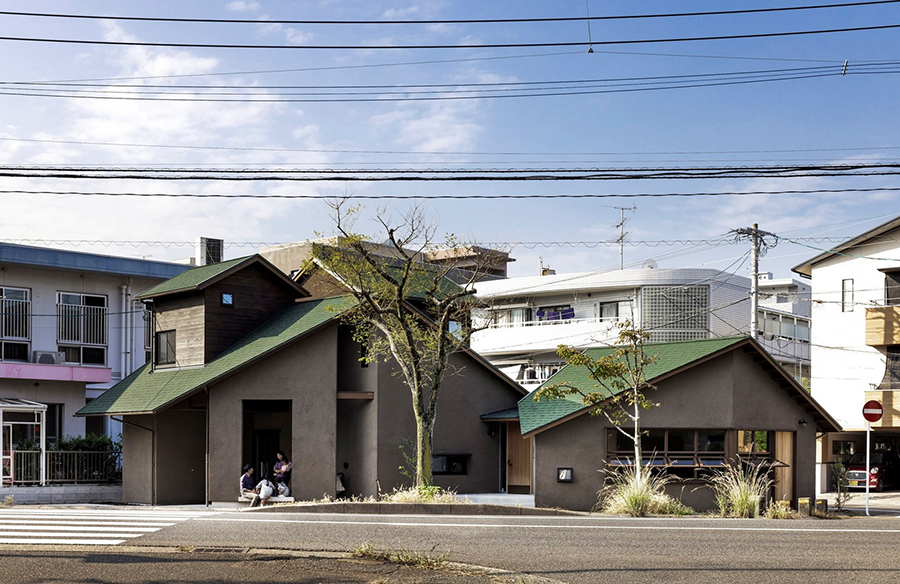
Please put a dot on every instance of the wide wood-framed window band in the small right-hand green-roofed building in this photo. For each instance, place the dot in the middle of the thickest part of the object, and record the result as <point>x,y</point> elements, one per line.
<point>681,453</point>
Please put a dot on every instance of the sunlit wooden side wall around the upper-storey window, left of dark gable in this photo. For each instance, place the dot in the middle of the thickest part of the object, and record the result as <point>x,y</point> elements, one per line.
<point>184,315</point>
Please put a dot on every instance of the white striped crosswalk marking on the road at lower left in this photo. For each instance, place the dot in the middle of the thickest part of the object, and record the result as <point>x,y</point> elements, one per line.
<point>85,526</point>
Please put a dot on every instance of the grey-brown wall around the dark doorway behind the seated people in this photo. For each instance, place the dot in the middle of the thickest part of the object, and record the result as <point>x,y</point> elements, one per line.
<point>304,373</point>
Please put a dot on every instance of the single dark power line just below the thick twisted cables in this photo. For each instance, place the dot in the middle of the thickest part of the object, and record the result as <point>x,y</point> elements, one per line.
<point>454,197</point>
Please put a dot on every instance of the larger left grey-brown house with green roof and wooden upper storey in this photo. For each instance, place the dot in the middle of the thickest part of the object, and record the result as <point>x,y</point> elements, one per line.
<point>245,363</point>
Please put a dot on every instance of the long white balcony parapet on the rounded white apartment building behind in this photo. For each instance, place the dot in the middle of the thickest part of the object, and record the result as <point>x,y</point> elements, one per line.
<point>543,335</point>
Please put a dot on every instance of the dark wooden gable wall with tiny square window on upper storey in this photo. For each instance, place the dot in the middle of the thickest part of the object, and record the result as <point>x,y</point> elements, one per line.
<point>258,295</point>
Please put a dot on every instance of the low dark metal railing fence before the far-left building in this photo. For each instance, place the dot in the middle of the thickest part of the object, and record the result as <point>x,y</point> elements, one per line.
<point>64,467</point>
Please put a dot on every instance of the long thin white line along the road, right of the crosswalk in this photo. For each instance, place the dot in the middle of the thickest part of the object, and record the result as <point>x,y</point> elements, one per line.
<point>544,526</point>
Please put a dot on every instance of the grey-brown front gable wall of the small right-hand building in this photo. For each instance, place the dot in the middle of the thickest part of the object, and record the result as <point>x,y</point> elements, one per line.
<point>730,392</point>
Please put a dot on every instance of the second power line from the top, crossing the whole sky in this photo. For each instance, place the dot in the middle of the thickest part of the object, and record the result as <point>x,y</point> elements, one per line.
<point>437,47</point>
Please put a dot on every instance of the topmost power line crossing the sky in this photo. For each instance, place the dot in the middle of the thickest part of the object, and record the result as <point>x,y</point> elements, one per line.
<point>445,21</point>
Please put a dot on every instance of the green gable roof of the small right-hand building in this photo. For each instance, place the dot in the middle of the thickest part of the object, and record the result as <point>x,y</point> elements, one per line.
<point>672,358</point>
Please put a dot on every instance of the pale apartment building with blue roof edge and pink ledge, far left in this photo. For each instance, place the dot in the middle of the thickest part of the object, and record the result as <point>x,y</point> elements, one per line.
<point>69,330</point>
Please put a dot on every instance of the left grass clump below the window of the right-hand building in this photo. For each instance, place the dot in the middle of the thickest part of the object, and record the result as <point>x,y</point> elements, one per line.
<point>638,492</point>
